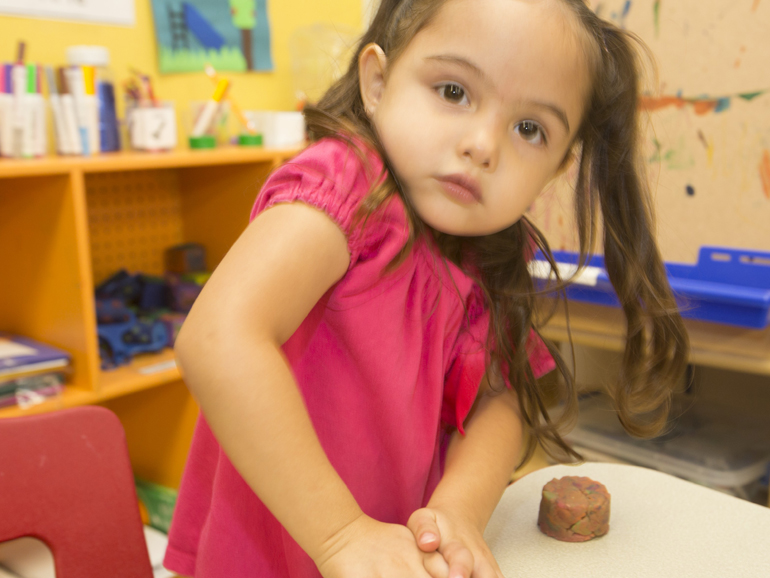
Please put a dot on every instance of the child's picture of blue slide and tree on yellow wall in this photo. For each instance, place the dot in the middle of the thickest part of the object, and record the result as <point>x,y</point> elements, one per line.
<point>232,35</point>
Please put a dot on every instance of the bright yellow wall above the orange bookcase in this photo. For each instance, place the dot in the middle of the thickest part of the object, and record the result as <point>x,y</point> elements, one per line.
<point>47,41</point>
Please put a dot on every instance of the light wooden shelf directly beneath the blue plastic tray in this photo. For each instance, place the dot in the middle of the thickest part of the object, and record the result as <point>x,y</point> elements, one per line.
<point>711,344</point>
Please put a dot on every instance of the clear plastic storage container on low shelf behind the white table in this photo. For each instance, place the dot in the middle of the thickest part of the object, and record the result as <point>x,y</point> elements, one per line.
<point>712,446</point>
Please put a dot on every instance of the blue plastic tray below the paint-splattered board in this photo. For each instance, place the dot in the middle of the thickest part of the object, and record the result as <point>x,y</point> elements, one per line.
<point>729,286</point>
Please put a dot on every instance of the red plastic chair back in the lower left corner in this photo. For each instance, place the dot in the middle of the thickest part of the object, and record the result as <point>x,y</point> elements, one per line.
<point>65,478</point>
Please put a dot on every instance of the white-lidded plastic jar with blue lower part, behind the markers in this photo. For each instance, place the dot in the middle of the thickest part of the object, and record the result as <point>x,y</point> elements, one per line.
<point>99,57</point>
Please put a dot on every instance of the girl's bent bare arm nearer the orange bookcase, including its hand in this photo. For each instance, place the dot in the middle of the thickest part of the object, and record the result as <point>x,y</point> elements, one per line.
<point>229,352</point>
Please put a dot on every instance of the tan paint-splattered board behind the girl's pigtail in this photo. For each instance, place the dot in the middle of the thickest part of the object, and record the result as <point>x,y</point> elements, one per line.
<point>708,146</point>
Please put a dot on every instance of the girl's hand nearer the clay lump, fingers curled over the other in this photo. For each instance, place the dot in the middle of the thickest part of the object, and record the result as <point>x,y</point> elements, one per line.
<point>459,541</point>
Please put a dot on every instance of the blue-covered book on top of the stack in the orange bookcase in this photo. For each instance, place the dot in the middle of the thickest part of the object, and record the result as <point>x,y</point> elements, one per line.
<point>22,356</point>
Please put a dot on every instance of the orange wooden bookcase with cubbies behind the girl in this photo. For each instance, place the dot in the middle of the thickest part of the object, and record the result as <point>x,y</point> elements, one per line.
<point>68,223</point>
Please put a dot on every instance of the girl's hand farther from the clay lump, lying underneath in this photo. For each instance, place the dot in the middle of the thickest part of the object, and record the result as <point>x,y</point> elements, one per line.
<point>366,548</point>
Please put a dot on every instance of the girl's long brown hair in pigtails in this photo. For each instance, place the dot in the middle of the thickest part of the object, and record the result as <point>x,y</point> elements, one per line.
<point>609,179</point>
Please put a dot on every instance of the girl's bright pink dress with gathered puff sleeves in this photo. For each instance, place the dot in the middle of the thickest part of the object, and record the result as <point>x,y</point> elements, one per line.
<point>388,364</point>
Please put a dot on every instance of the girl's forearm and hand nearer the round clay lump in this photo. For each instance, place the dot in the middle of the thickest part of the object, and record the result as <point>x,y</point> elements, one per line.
<point>478,468</point>
